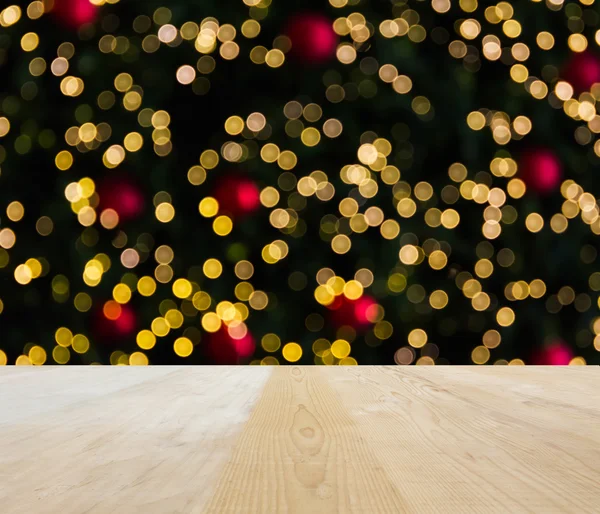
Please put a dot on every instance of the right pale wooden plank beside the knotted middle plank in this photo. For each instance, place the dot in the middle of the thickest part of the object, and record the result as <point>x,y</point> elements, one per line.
<point>477,448</point>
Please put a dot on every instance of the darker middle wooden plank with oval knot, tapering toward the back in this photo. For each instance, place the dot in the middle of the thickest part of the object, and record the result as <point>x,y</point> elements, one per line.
<point>303,452</point>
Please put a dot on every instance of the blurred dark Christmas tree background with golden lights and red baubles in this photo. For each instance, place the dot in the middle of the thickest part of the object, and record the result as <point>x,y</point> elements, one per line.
<point>328,182</point>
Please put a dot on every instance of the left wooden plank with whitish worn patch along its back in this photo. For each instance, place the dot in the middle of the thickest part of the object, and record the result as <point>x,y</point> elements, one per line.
<point>156,446</point>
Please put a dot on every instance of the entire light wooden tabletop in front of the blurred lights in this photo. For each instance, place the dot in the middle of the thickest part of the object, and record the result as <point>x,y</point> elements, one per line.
<point>300,440</point>
